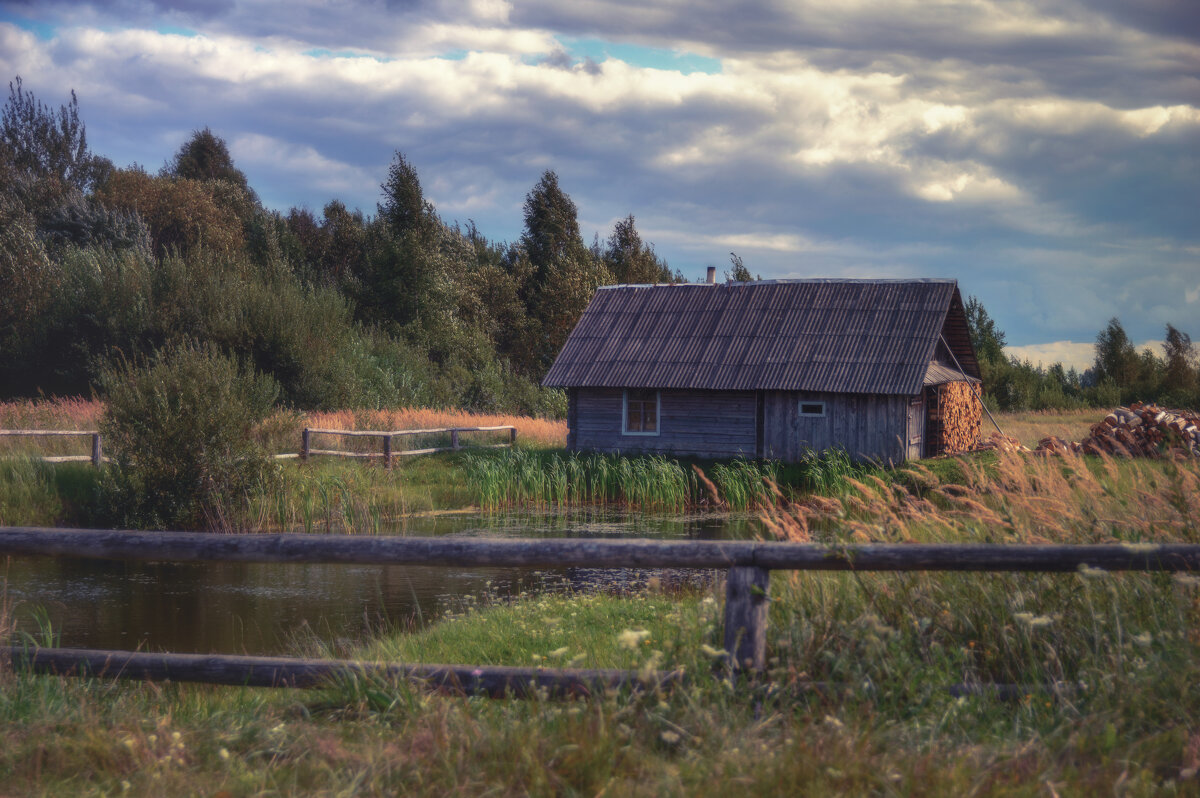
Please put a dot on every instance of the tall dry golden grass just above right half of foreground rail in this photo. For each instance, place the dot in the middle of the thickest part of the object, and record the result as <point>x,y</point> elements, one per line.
<point>1025,499</point>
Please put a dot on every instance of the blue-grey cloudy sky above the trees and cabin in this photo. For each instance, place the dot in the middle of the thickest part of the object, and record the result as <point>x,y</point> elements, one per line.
<point>1046,154</point>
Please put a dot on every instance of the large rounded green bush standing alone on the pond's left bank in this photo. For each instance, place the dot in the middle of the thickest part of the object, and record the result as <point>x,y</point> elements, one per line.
<point>179,428</point>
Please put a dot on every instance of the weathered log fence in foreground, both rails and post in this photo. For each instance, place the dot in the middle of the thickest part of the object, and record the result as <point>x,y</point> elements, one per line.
<point>748,563</point>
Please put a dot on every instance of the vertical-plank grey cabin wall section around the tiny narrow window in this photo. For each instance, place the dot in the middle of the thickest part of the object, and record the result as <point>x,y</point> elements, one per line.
<point>868,427</point>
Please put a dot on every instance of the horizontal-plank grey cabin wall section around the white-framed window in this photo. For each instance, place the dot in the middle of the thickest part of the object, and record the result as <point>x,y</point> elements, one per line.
<point>705,424</point>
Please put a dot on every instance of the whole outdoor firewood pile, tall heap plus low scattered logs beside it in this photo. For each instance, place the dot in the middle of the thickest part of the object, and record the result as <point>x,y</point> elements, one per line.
<point>1141,430</point>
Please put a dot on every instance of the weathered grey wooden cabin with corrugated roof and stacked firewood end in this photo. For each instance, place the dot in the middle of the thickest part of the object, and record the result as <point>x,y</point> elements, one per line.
<point>884,369</point>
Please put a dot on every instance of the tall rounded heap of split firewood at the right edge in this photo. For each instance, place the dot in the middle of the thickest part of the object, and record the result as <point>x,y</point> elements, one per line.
<point>1145,431</point>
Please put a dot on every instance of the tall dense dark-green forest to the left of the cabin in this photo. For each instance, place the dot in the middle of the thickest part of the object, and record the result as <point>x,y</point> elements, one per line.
<point>105,265</point>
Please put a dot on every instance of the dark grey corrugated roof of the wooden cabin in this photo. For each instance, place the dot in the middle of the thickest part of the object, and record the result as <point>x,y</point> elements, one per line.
<point>854,337</point>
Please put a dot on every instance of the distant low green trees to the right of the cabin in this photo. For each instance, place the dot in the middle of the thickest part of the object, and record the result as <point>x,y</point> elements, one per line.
<point>1119,375</point>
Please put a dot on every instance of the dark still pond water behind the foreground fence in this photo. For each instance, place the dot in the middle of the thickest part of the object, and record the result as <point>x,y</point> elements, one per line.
<point>266,608</point>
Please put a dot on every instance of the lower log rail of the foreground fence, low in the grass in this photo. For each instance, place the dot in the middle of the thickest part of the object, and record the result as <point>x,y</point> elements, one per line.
<point>291,673</point>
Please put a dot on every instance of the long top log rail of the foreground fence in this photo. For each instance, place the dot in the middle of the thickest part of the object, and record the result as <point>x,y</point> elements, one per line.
<point>194,547</point>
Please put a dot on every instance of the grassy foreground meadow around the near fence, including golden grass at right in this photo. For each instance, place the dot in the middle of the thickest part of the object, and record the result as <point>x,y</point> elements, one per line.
<point>856,699</point>
